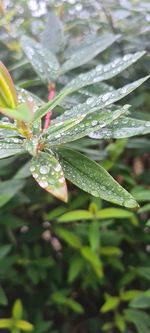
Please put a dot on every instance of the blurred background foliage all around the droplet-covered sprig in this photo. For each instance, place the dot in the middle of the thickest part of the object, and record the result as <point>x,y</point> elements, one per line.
<point>82,266</point>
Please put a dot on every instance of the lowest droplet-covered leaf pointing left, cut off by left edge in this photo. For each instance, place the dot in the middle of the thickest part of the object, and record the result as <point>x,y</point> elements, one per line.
<point>10,147</point>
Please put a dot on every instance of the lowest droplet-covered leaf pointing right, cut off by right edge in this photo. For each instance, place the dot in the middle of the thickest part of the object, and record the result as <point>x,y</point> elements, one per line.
<point>123,128</point>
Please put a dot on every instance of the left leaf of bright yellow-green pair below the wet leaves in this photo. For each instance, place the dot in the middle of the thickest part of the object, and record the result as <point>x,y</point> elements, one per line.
<point>76,215</point>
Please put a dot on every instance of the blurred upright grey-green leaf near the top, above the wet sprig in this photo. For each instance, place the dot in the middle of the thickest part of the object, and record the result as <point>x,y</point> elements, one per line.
<point>53,36</point>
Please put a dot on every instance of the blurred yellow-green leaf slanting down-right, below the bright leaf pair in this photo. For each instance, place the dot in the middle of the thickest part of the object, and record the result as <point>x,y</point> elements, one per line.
<point>93,259</point>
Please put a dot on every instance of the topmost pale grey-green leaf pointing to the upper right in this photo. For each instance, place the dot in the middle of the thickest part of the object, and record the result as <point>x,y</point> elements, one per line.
<point>88,52</point>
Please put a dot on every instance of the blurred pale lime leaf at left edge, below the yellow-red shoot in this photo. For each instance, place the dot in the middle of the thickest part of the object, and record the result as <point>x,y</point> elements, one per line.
<point>21,112</point>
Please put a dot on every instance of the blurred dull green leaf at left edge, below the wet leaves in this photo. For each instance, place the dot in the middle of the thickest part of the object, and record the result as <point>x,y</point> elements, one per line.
<point>8,189</point>
